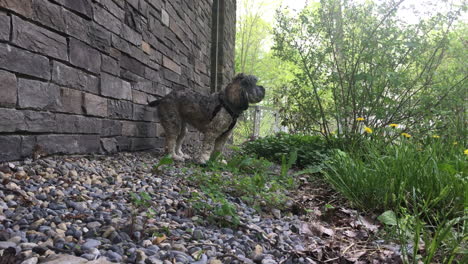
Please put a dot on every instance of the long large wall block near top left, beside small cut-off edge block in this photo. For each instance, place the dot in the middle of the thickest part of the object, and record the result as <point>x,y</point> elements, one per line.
<point>38,39</point>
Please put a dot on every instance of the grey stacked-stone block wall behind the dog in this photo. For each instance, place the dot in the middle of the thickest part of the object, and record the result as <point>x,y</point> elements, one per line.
<point>76,75</point>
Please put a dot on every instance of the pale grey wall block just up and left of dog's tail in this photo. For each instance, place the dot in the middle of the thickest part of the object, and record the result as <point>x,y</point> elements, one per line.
<point>114,87</point>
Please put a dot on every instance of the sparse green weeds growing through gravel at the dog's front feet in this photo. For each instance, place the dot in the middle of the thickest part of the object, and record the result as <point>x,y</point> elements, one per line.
<point>248,178</point>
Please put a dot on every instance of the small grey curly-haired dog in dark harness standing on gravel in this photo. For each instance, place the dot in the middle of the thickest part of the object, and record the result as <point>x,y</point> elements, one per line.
<point>214,115</point>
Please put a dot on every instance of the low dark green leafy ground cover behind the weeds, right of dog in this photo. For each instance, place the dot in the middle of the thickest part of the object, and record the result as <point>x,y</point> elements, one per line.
<point>311,150</point>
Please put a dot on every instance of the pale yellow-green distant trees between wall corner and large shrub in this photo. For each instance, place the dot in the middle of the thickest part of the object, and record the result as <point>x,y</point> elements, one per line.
<point>253,56</point>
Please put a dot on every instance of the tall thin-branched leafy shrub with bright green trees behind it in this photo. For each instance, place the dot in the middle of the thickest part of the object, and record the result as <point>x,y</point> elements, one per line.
<point>359,59</point>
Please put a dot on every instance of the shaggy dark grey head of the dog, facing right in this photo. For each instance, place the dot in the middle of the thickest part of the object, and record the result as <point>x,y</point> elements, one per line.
<point>243,90</point>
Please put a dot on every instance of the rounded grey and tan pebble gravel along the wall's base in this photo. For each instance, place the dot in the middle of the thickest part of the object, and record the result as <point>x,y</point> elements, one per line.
<point>79,210</point>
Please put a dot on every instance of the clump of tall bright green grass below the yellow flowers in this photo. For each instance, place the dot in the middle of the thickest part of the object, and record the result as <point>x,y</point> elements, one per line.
<point>422,184</point>
